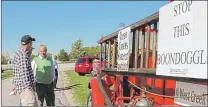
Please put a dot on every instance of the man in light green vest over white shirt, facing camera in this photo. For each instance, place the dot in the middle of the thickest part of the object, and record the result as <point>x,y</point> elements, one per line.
<point>43,69</point>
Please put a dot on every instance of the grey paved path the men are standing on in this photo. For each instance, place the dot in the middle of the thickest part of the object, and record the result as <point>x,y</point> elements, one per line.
<point>13,100</point>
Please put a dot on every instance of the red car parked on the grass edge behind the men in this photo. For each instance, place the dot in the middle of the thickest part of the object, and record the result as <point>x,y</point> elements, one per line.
<point>84,65</point>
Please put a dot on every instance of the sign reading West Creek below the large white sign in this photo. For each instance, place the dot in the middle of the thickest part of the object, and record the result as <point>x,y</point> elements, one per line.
<point>185,92</point>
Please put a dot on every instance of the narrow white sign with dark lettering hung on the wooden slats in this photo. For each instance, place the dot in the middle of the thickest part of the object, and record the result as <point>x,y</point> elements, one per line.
<point>123,49</point>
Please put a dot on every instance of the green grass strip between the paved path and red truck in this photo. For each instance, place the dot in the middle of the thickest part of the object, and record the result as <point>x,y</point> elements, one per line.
<point>80,89</point>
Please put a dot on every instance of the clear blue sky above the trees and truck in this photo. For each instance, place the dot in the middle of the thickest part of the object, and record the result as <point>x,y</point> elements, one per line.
<point>58,24</point>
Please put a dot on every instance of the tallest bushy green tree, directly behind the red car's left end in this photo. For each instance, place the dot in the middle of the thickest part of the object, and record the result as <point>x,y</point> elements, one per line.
<point>77,50</point>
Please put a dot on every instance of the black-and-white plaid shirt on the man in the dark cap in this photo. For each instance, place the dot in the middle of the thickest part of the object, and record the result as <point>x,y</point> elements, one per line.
<point>24,77</point>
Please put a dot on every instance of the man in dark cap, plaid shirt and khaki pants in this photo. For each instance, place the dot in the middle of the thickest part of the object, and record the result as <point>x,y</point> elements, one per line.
<point>24,78</point>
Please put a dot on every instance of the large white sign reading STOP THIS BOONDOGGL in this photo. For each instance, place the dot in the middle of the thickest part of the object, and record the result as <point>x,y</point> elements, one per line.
<point>182,40</point>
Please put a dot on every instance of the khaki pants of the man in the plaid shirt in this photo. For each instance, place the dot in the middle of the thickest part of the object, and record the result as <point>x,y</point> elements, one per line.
<point>28,97</point>
